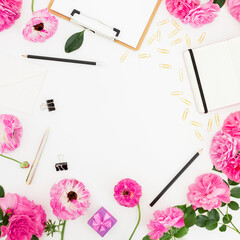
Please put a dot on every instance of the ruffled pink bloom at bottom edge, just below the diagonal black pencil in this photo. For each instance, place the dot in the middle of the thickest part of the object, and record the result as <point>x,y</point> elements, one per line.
<point>171,217</point>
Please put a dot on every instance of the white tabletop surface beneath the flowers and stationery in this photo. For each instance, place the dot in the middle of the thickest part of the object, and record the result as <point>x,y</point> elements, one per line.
<point>114,122</point>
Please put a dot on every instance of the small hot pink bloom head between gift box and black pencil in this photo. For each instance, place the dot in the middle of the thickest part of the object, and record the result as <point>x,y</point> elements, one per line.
<point>128,192</point>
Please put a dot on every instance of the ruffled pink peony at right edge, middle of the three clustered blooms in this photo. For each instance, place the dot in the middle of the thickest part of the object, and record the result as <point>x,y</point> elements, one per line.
<point>223,148</point>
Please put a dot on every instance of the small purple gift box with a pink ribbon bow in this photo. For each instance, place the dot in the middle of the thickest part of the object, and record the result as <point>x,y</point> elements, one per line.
<point>102,221</point>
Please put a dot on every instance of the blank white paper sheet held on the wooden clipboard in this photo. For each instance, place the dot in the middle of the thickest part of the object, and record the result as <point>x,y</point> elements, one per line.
<point>130,17</point>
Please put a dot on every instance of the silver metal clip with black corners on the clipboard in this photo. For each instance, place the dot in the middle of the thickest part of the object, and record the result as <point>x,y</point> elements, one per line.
<point>94,25</point>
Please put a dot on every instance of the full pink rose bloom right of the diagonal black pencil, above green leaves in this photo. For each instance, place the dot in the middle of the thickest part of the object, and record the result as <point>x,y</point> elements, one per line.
<point>208,192</point>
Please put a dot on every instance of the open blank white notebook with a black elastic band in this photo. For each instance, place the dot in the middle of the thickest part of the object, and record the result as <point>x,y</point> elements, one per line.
<point>214,73</point>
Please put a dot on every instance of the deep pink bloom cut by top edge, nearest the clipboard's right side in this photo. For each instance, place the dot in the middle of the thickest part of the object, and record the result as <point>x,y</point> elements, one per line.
<point>180,8</point>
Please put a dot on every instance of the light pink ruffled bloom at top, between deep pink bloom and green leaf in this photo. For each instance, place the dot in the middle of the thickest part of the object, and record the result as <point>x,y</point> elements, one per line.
<point>202,14</point>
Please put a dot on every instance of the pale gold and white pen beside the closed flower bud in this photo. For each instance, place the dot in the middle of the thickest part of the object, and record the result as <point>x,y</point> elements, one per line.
<point>37,158</point>
